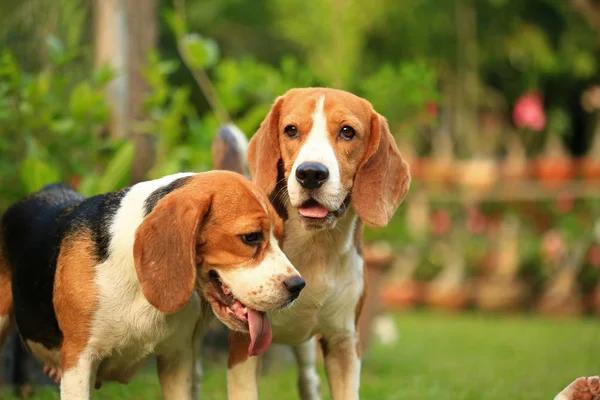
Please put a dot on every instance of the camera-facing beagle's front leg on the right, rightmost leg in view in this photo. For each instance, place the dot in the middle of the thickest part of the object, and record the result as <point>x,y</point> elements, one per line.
<point>342,364</point>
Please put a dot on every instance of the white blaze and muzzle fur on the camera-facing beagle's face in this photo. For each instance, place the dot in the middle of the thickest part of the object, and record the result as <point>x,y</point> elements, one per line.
<point>318,148</point>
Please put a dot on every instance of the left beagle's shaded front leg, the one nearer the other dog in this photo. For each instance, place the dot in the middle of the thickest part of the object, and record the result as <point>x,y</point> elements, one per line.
<point>175,373</point>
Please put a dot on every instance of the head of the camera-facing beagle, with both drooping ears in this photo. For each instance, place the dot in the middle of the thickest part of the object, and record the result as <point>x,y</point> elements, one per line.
<point>331,150</point>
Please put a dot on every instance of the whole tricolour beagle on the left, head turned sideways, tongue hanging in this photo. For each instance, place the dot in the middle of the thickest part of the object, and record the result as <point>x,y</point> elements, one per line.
<point>95,285</point>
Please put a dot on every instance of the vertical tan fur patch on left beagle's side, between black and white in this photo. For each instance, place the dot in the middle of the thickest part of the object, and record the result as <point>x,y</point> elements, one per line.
<point>75,294</point>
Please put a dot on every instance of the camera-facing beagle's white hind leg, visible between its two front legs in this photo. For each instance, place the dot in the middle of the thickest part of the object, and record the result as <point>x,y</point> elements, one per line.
<point>309,383</point>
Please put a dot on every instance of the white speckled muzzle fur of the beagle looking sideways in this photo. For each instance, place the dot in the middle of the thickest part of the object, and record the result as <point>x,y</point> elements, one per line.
<point>261,287</point>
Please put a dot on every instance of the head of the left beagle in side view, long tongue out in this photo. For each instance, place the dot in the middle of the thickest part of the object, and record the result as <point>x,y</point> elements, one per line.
<point>218,234</point>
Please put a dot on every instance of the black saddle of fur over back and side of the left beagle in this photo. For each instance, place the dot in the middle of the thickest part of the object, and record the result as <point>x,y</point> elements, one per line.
<point>33,230</point>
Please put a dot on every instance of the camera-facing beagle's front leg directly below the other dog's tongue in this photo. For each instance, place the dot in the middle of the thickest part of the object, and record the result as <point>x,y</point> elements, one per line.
<point>242,371</point>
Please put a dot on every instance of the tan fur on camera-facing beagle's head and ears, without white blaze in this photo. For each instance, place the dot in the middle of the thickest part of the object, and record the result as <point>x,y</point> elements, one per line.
<point>370,164</point>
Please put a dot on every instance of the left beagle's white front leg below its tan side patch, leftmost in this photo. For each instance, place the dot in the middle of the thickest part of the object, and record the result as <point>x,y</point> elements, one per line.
<point>79,374</point>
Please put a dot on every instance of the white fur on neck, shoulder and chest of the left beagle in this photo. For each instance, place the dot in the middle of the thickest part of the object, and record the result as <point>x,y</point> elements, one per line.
<point>127,328</point>
